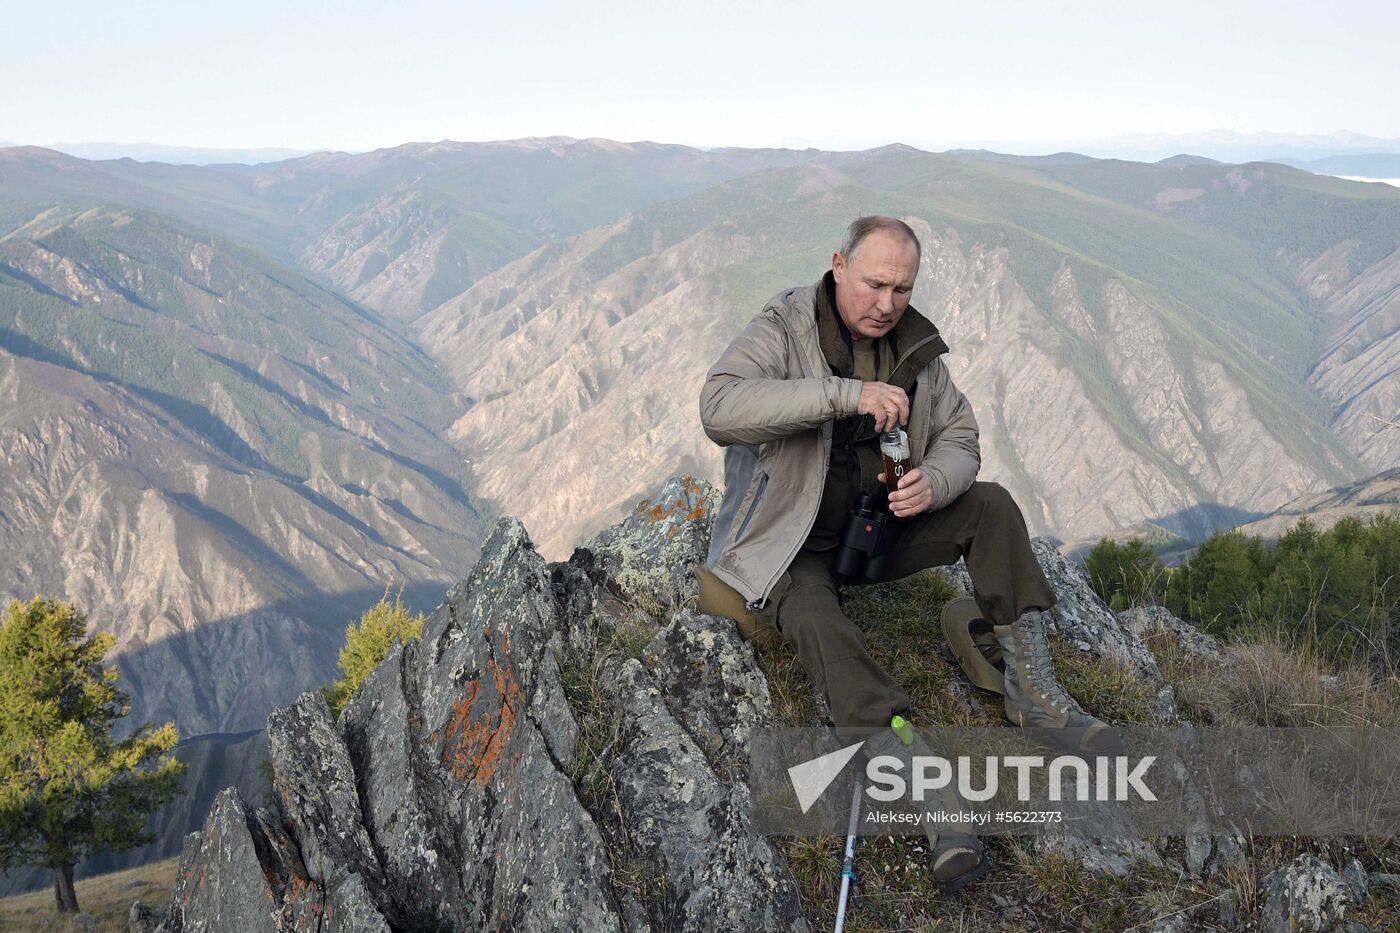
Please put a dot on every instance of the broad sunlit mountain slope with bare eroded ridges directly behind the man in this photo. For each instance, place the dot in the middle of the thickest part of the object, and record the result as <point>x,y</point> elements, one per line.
<point>1111,387</point>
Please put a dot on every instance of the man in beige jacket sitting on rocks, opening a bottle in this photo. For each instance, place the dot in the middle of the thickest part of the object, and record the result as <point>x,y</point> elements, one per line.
<point>799,400</point>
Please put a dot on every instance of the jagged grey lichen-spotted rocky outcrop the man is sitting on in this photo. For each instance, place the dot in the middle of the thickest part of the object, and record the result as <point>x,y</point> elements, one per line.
<point>565,749</point>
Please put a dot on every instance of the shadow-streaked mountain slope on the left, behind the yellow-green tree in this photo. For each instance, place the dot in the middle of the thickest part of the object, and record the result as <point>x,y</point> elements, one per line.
<point>218,460</point>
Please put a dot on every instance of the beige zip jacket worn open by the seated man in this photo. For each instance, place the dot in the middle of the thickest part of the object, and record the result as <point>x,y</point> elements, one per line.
<point>772,401</point>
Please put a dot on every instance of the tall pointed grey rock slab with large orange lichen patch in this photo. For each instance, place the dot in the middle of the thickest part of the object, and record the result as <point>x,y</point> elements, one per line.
<point>485,659</point>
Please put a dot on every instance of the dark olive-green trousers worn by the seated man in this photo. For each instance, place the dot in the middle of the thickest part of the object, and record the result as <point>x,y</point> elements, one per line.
<point>983,526</point>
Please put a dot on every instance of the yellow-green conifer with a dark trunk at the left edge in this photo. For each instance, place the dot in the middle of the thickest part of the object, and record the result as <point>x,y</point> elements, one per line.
<point>66,788</point>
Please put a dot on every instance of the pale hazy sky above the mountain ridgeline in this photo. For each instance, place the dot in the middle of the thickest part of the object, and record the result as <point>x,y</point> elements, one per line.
<point>359,76</point>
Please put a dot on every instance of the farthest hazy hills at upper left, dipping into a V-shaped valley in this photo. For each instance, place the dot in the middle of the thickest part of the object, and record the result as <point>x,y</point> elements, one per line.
<point>400,229</point>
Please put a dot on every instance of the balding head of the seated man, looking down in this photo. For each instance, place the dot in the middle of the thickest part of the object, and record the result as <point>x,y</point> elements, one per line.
<point>874,275</point>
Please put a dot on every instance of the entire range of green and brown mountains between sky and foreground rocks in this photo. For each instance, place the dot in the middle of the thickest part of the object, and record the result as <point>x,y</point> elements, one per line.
<point>243,400</point>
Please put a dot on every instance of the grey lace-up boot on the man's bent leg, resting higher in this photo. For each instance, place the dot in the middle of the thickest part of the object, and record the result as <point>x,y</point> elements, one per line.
<point>1035,698</point>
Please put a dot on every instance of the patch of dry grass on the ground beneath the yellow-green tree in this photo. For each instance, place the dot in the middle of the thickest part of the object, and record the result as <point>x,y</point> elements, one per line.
<point>107,897</point>
